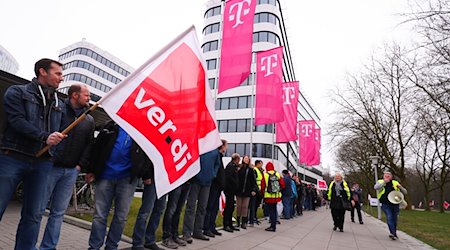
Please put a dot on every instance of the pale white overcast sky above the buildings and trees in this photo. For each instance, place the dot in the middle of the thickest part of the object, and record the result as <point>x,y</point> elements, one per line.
<point>327,37</point>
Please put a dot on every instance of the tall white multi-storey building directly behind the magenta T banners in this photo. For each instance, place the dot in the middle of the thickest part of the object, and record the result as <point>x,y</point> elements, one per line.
<point>233,107</point>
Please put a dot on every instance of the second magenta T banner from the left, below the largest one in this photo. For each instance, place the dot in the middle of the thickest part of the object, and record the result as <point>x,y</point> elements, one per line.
<point>269,87</point>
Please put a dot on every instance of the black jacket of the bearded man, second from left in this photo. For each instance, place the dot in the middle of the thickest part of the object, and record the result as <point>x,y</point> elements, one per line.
<point>75,149</point>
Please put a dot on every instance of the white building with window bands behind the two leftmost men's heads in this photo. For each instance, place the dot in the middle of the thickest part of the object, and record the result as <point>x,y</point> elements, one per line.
<point>86,63</point>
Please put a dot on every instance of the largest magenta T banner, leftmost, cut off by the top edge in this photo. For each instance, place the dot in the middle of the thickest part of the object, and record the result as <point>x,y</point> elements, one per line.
<point>237,41</point>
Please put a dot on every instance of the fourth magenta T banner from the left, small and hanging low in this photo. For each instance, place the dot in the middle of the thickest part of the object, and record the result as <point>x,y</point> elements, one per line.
<point>307,146</point>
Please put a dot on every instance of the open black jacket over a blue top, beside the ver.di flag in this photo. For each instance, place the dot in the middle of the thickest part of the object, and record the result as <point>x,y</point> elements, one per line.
<point>142,166</point>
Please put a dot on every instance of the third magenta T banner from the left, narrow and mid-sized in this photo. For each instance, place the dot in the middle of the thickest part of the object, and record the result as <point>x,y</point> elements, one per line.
<point>287,130</point>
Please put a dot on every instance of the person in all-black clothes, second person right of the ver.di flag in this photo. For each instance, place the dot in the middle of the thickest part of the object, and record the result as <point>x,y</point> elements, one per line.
<point>231,188</point>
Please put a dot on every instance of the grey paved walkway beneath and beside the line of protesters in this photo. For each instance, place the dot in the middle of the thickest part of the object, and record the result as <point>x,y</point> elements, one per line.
<point>311,231</point>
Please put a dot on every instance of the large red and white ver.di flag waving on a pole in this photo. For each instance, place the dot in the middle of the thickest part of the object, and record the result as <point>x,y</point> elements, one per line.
<point>167,108</point>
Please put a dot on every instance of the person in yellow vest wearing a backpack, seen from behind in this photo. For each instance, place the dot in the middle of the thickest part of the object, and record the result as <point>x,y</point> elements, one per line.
<point>271,186</point>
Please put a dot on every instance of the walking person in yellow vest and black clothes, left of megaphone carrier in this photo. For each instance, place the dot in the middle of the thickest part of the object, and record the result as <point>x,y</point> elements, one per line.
<point>338,191</point>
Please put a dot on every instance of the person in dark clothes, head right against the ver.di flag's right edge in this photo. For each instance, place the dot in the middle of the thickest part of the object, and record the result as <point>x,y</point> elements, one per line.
<point>209,227</point>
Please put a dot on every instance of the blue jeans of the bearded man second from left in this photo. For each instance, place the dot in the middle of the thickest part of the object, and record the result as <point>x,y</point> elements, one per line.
<point>59,191</point>
